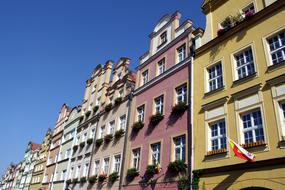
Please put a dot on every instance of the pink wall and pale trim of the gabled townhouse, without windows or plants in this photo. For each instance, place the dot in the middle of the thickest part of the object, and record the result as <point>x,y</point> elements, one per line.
<point>156,143</point>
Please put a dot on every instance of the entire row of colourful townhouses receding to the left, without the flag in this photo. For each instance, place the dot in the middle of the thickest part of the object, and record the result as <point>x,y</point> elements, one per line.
<point>167,125</point>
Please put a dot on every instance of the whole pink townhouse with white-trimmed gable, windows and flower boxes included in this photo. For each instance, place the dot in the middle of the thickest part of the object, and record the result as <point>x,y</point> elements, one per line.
<point>158,134</point>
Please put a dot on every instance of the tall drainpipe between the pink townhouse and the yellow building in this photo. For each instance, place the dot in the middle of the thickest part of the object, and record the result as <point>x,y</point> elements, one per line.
<point>190,116</point>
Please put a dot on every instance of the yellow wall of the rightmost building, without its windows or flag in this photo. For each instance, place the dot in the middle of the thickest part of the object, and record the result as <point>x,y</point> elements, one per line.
<point>261,91</point>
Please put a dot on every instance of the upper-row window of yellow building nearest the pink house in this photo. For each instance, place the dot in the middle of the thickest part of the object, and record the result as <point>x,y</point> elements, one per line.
<point>215,77</point>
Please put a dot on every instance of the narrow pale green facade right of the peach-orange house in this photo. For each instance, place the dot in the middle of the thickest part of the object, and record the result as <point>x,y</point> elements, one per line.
<point>65,152</point>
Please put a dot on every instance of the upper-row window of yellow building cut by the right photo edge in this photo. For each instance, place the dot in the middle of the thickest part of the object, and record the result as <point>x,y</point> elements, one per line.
<point>277,48</point>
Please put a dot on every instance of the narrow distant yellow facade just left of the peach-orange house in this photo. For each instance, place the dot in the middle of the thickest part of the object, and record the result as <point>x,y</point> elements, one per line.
<point>38,173</point>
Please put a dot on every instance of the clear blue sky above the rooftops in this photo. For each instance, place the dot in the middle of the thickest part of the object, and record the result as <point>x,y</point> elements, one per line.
<point>49,48</point>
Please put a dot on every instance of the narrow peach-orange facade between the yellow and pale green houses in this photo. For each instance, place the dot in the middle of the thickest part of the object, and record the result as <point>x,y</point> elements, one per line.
<point>49,173</point>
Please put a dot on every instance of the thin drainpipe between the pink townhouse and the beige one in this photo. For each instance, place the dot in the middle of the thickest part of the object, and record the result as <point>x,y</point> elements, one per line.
<point>130,98</point>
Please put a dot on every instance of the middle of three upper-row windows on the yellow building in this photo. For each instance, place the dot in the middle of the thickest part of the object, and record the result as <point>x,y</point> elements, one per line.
<point>244,64</point>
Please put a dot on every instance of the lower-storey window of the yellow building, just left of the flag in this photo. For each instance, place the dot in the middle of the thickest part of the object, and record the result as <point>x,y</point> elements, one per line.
<point>218,135</point>
